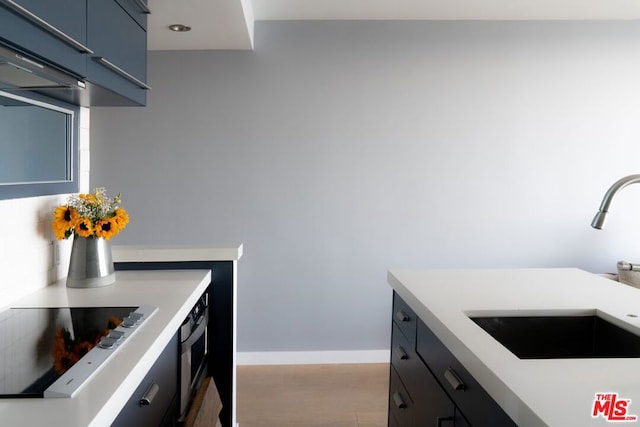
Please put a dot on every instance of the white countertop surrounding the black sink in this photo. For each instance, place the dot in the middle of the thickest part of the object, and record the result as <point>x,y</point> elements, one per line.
<point>553,392</point>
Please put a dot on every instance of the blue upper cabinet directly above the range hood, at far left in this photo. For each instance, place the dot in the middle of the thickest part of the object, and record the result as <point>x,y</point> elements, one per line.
<point>55,32</point>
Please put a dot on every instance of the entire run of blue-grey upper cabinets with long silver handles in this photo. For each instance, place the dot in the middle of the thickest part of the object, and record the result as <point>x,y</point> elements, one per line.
<point>103,42</point>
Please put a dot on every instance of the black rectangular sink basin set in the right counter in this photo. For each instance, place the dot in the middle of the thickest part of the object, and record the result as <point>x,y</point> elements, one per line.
<point>561,337</point>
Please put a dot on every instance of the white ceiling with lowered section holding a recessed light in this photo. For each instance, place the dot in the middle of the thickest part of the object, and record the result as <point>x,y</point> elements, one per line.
<point>228,24</point>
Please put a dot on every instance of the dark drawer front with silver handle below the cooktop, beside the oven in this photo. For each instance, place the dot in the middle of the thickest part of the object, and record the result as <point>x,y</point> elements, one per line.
<point>155,401</point>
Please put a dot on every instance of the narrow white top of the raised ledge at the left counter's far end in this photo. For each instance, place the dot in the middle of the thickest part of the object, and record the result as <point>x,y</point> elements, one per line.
<point>149,253</point>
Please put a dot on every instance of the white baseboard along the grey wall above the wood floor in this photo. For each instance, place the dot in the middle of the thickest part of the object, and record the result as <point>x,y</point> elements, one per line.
<point>312,357</point>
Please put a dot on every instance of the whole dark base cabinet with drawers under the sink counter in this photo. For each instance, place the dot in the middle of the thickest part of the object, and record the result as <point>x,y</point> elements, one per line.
<point>428,386</point>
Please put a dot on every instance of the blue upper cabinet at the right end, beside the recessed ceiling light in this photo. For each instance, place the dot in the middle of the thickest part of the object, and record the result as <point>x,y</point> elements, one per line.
<point>116,32</point>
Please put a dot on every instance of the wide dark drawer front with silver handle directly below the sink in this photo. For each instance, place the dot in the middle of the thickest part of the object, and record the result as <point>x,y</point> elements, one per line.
<point>472,400</point>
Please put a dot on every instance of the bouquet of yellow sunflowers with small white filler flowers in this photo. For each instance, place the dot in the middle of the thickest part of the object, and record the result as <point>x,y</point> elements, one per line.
<point>90,215</point>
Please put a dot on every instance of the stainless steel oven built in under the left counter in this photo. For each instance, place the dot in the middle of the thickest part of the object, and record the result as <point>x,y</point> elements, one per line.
<point>193,352</point>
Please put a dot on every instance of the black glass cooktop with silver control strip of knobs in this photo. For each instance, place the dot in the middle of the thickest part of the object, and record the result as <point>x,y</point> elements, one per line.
<point>52,352</point>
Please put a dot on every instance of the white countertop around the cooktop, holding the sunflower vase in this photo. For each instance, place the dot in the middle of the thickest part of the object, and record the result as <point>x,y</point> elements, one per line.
<point>100,400</point>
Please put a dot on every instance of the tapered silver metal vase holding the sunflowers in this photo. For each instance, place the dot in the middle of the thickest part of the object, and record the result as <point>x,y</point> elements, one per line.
<point>91,263</point>
